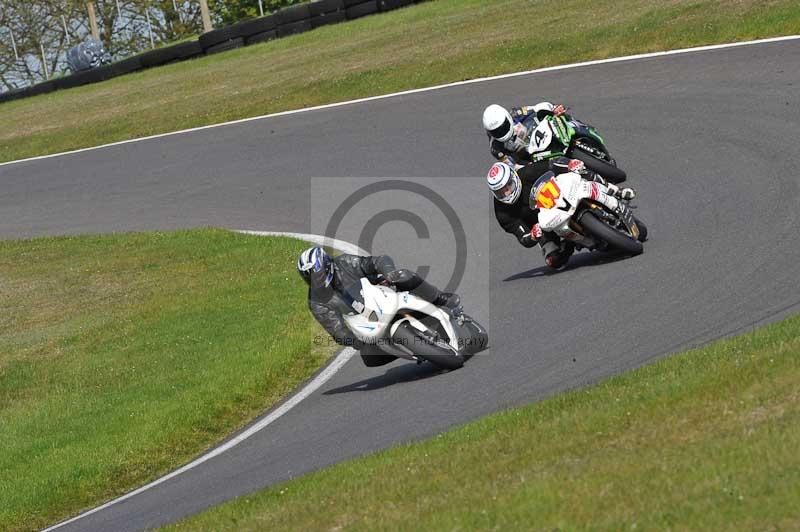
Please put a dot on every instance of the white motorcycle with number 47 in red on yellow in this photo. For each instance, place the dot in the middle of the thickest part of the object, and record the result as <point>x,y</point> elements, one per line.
<point>567,208</point>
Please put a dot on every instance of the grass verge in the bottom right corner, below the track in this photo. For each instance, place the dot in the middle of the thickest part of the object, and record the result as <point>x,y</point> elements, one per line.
<point>707,440</point>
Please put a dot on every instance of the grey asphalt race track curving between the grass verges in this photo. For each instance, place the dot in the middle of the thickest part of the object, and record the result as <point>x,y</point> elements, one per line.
<point>709,139</point>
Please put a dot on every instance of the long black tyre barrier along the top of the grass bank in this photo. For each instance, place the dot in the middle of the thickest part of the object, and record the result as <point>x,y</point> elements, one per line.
<point>288,21</point>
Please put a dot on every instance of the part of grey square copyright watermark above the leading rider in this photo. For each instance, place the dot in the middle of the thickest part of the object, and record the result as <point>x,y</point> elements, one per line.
<point>412,220</point>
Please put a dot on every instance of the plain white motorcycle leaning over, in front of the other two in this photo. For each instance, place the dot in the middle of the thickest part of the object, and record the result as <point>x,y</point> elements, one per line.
<point>406,326</point>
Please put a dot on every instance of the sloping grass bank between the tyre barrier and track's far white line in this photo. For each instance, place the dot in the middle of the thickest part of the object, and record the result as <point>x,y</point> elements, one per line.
<point>426,44</point>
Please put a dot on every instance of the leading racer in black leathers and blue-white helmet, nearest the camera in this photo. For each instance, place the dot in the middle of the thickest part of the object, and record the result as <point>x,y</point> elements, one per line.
<point>328,277</point>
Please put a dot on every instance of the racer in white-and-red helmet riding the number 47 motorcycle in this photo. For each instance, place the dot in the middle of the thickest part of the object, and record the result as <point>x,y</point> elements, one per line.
<point>512,189</point>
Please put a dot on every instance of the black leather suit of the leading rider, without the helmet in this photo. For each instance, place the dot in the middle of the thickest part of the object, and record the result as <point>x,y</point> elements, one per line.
<point>328,306</point>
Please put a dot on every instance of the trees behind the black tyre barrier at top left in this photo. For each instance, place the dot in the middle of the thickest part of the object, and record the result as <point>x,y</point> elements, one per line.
<point>36,35</point>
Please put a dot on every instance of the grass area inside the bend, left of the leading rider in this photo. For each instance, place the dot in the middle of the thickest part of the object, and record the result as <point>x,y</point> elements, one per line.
<point>123,356</point>
